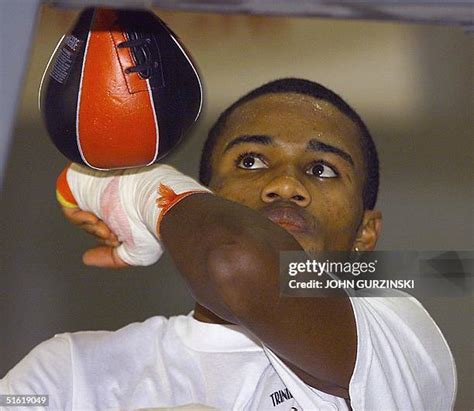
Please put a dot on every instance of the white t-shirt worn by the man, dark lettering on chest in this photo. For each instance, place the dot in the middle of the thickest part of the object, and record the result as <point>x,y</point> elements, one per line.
<point>403,363</point>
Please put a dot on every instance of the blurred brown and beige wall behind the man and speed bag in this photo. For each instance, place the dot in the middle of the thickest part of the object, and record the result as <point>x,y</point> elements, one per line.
<point>412,84</point>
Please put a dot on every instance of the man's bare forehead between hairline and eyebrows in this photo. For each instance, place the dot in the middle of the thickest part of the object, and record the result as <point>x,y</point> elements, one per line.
<point>292,118</point>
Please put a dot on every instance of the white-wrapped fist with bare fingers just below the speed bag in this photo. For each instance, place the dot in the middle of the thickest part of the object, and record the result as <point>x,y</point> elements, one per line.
<point>104,204</point>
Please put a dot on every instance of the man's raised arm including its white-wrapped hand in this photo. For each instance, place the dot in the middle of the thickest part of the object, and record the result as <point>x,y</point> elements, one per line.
<point>229,255</point>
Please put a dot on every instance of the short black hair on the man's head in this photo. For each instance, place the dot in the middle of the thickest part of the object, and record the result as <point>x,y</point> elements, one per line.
<point>309,88</point>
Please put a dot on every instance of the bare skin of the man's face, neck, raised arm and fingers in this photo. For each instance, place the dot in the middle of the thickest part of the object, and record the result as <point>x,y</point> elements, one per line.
<point>288,172</point>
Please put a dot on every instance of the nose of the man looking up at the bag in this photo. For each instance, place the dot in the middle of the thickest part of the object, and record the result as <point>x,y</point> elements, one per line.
<point>286,187</point>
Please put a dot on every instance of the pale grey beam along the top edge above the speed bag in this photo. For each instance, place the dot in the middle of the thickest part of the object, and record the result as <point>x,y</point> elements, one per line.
<point>449,12</point>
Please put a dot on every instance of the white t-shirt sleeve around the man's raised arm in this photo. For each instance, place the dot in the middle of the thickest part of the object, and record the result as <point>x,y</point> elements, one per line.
<point>403,361</point>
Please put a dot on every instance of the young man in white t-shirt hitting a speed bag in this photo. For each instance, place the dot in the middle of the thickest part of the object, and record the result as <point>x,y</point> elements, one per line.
<point>291,167</point>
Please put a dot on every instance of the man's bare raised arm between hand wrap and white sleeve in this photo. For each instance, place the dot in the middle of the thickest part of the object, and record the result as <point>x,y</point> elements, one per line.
<point>229,256</point>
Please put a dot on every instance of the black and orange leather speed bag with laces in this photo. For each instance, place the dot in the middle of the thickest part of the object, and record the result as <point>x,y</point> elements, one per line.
<point>121,90</point>
